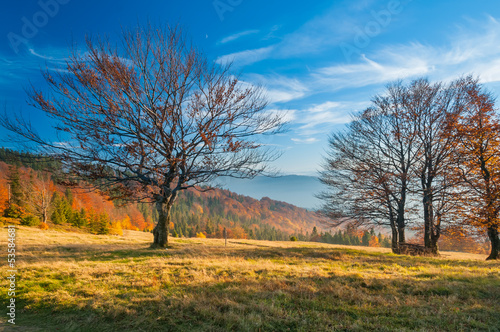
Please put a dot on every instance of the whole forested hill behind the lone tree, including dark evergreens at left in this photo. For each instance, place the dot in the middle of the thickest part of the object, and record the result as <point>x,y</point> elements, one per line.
<point>38,197</point>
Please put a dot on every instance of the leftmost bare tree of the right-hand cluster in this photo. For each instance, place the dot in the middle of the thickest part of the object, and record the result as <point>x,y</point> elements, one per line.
<point>368,170</point>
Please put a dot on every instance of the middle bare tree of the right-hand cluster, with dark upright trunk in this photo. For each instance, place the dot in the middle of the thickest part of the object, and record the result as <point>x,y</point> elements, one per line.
<point>436,108</point>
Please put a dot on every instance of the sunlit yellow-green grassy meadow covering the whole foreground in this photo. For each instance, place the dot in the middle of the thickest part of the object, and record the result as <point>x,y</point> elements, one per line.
<point>81,282</point>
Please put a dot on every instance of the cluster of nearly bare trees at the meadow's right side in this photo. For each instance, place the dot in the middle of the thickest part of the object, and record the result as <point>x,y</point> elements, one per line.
<point>423,156</point>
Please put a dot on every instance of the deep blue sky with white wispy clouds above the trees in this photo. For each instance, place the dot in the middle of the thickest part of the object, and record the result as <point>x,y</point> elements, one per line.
<point>320,61</point>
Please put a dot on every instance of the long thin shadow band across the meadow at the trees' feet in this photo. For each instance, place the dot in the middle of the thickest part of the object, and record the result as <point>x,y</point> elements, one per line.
<point>136,252</point>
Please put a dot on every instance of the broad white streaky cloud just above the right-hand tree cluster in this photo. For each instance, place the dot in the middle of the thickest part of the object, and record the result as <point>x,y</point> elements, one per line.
<point>475,52</point>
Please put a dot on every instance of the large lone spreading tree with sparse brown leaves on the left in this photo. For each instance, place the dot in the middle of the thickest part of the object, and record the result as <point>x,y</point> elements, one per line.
<point>152,116</point>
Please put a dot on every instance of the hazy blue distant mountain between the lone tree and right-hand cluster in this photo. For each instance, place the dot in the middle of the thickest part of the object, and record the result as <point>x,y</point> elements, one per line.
<point>298,190</point>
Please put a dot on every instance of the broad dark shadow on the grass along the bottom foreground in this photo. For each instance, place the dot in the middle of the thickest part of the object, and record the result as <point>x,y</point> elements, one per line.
<point>279,304</point>
